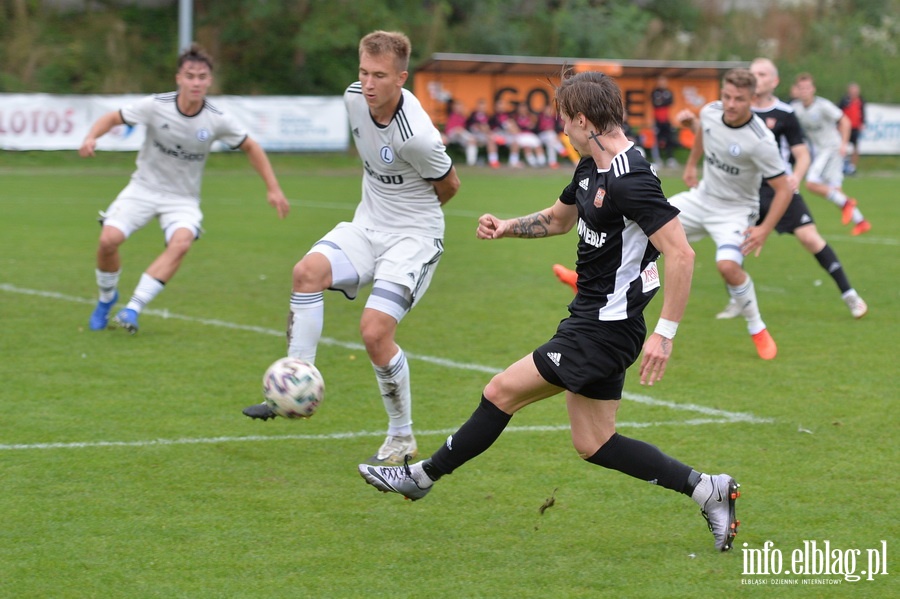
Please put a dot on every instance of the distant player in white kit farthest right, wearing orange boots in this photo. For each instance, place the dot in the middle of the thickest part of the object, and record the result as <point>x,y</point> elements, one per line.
<point>828,130</point>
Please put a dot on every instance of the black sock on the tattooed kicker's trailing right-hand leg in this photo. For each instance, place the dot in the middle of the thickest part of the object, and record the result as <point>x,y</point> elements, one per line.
<point>646,462</point>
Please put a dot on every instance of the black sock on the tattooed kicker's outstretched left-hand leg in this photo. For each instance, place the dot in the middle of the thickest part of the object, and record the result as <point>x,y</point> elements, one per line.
<point>477,434</point>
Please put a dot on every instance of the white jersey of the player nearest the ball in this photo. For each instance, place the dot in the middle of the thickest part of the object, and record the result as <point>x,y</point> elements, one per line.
<point>399,162</point>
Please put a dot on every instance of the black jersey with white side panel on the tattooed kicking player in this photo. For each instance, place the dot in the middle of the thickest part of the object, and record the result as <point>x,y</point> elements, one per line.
<point>618,209</point>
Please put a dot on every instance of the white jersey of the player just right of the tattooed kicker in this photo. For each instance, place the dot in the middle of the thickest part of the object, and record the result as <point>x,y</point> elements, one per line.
<point>737,159</point>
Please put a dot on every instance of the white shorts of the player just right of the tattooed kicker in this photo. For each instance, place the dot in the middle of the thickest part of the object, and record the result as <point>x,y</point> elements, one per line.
<point>725,222</point>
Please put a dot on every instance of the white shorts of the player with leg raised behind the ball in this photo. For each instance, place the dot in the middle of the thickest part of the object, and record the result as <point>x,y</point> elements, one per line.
<point>406,260</point>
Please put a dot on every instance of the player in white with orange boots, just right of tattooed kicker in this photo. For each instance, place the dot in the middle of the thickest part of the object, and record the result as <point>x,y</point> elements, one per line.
<point>740,151</point>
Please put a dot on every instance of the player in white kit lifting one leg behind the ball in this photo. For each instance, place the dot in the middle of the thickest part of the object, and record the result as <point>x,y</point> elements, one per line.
<point>395,239</point>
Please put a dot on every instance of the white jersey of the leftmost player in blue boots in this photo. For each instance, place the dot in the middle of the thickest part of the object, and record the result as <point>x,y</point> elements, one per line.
<point>176,145</point>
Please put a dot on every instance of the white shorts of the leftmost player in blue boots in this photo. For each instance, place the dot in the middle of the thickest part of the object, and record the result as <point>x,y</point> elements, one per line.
<point>136,205</point>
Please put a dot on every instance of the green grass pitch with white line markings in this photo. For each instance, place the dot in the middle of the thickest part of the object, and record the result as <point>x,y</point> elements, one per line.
<point>127,469</point>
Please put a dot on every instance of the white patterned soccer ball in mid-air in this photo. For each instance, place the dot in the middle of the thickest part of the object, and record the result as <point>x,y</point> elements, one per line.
<point>293,388</point>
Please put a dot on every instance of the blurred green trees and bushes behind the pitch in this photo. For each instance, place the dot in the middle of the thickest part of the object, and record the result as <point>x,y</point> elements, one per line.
<point>309,47</point>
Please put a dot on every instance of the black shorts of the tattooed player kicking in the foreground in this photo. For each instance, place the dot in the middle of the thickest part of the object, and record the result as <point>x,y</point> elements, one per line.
<point>590,357</point>
